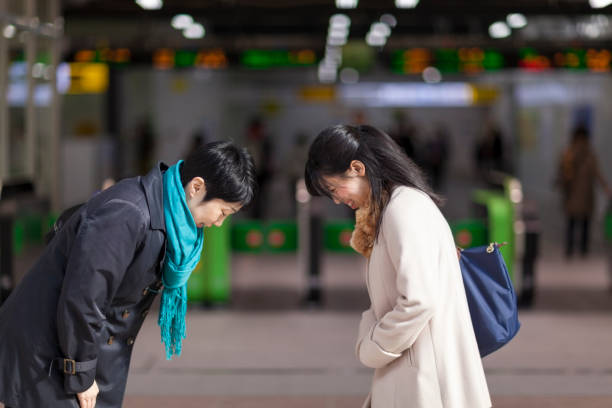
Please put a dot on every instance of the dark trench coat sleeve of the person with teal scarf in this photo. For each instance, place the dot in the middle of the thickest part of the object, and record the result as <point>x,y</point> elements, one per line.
<point>105,245</point>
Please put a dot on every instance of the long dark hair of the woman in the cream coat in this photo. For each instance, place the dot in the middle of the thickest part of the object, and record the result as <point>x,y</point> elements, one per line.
<point>386,166</point>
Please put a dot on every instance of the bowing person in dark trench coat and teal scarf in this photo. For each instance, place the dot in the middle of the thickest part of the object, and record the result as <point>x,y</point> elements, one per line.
<point>69,327</point>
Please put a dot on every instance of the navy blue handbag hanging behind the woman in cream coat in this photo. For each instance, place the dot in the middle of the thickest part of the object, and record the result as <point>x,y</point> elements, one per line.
<point>490,296</point>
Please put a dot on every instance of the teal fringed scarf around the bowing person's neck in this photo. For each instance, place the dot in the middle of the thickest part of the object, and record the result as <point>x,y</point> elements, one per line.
<point>183,249</point>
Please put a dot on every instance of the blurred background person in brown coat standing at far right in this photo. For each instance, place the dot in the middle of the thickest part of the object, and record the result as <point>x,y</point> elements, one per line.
<point>578,171</point>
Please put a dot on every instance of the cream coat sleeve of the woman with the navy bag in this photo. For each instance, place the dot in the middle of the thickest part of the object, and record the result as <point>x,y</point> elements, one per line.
<point>409,229</point>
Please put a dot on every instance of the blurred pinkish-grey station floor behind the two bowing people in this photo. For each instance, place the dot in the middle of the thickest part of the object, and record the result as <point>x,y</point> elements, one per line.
<point>266,349</point>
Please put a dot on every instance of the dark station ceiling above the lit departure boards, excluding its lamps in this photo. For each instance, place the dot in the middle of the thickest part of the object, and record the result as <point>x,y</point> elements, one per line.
<point>236,25</point>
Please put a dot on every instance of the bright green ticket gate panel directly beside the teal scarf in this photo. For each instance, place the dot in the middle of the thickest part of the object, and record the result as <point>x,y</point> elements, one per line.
<point>210,280</point>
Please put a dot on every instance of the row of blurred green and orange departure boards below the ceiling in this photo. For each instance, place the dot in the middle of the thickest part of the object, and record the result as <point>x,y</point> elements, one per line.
<point>413,61</point>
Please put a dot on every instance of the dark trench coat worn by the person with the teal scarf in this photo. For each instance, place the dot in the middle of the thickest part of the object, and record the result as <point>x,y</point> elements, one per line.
<point>85,300</point>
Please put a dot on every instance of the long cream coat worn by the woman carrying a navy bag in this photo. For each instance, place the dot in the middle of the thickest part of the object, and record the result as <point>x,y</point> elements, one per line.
<point>417,334</point>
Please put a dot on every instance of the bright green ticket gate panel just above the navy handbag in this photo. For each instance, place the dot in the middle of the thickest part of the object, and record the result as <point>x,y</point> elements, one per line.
<point>500,220</point>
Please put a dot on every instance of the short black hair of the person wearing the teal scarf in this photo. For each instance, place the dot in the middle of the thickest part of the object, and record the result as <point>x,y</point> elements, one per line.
<point>227,170</point>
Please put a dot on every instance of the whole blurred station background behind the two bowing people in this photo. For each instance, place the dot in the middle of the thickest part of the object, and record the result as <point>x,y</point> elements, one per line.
<point>505,104</point>
